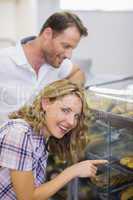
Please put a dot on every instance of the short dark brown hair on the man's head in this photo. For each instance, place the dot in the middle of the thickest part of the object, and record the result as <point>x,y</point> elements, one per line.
<point>60,21</point>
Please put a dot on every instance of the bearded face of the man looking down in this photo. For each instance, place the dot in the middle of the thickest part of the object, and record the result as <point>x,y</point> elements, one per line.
<point>60,46</point>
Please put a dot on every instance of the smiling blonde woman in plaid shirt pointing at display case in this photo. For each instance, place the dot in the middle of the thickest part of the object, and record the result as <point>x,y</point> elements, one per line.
<point>58,114</point>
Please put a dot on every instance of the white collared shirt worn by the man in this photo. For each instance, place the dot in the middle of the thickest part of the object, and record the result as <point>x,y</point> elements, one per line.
<point>19,83</point>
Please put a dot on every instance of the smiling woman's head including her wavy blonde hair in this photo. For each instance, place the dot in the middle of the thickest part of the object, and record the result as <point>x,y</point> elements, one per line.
<point>58,109</point>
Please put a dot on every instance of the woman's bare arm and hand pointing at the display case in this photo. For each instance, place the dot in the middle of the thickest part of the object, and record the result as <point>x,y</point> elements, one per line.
<point>23,182</point>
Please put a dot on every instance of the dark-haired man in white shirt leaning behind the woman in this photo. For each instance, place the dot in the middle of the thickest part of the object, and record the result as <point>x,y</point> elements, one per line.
<point>26,68</point>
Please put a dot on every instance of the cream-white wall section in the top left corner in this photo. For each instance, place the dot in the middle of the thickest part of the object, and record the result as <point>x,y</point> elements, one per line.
<point>18,18</point>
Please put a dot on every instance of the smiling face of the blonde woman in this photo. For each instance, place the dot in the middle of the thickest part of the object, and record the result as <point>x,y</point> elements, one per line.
<point>62,115</point>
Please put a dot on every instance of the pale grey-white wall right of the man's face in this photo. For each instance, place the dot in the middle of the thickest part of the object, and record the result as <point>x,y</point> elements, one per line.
<point>110,41</point>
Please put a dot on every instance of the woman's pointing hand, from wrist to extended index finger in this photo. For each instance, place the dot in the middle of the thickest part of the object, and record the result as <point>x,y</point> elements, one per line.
<point>87,168</point>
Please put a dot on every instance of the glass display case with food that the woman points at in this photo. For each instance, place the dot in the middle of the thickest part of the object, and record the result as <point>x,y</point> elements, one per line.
<point>110,137</point>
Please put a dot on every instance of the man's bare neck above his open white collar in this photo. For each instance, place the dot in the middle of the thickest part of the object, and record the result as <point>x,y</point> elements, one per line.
<point>34,55</point>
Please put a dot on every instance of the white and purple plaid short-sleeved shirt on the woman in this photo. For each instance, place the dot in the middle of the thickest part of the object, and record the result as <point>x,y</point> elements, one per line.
<point>20,149</point>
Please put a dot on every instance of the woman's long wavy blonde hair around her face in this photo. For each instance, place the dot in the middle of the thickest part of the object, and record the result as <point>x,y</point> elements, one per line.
<point>71,146</point>
